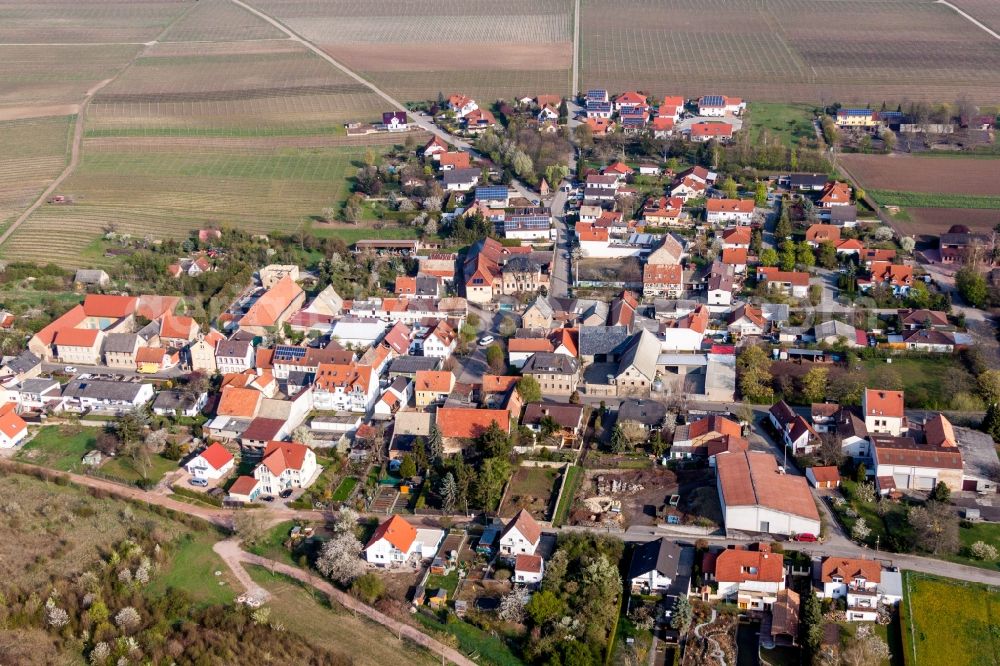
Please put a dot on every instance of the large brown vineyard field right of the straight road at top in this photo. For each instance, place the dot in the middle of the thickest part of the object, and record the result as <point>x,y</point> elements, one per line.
<point>788,50</point>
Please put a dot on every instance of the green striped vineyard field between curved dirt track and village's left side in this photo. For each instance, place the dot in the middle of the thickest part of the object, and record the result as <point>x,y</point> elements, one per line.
<point>158,192</point>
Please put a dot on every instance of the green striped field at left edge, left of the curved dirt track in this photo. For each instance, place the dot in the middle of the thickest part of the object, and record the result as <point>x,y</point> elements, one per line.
<point>32,154</point>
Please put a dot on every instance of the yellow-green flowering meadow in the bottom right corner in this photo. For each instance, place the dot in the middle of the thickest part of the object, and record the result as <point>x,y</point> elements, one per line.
<point>949,623</point>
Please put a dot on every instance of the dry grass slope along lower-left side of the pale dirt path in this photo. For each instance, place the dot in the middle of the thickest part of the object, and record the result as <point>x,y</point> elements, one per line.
<point>310,614</point>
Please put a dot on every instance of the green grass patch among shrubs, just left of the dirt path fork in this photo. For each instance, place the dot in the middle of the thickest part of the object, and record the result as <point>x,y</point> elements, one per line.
<point>191,567</point>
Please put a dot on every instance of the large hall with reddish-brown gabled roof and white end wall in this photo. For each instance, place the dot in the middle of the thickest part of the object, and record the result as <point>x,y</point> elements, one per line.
<point>758,497</point>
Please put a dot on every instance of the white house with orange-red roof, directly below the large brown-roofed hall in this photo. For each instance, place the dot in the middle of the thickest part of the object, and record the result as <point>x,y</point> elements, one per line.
<point>751,578</point>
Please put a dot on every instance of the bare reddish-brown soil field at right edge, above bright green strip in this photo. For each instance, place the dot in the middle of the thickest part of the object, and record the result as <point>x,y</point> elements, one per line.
<point>907,173</point>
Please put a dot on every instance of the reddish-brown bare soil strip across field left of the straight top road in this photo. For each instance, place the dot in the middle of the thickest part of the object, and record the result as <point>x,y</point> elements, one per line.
<point>404,57</point>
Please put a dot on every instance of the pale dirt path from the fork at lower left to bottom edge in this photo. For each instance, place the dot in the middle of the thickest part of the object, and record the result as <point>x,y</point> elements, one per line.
<point>234,557</point>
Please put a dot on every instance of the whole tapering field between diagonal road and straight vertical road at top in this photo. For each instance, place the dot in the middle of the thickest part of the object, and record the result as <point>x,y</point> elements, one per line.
<point>488,50</point>
